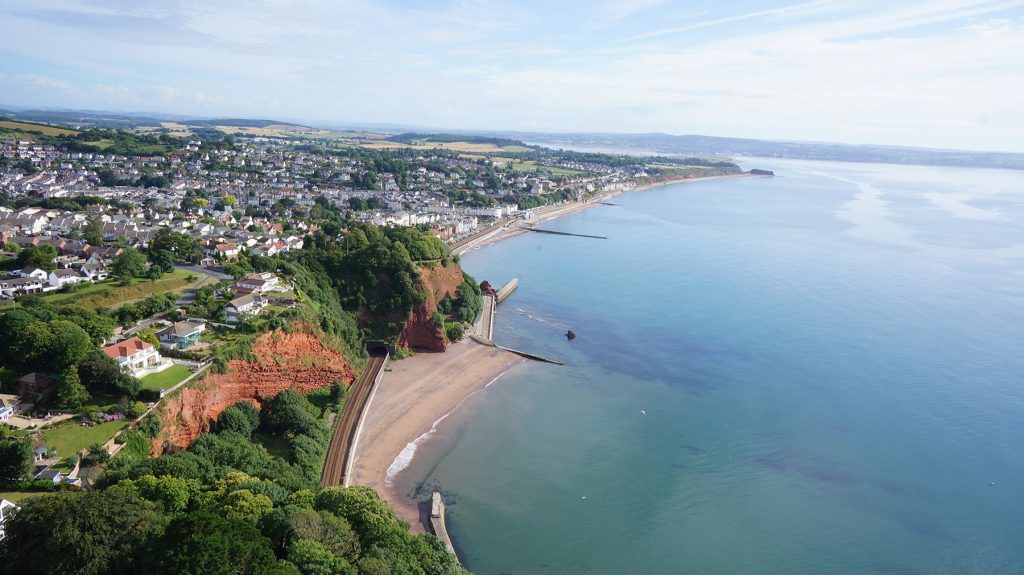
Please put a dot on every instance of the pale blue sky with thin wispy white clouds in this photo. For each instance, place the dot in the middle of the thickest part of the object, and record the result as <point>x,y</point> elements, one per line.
<point>935,73</point>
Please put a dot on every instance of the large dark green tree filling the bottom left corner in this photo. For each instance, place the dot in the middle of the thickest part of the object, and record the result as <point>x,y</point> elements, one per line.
<point>87,533</point>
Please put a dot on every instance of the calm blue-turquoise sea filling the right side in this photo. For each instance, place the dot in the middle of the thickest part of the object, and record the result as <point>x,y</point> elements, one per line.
<point>820,373</point>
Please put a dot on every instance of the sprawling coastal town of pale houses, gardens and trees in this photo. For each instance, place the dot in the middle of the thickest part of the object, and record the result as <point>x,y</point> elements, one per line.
<point>132,256</point>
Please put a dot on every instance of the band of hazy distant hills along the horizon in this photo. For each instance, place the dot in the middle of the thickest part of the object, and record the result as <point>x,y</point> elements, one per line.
<point>650,144</point>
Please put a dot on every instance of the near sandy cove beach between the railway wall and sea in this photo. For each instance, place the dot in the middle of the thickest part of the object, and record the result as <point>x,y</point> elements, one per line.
<point>416,393</point>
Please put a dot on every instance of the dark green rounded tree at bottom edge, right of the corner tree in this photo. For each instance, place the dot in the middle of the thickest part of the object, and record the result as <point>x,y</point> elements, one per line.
<point>202,543</point>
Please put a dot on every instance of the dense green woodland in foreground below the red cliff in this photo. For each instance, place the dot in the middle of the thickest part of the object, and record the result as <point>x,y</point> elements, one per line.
<point>226,506</point>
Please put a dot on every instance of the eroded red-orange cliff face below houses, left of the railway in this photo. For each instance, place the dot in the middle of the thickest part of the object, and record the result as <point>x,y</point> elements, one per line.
<point>284,361</point>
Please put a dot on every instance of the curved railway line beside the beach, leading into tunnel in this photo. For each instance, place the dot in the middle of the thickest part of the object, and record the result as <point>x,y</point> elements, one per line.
<point>337,467</point>
